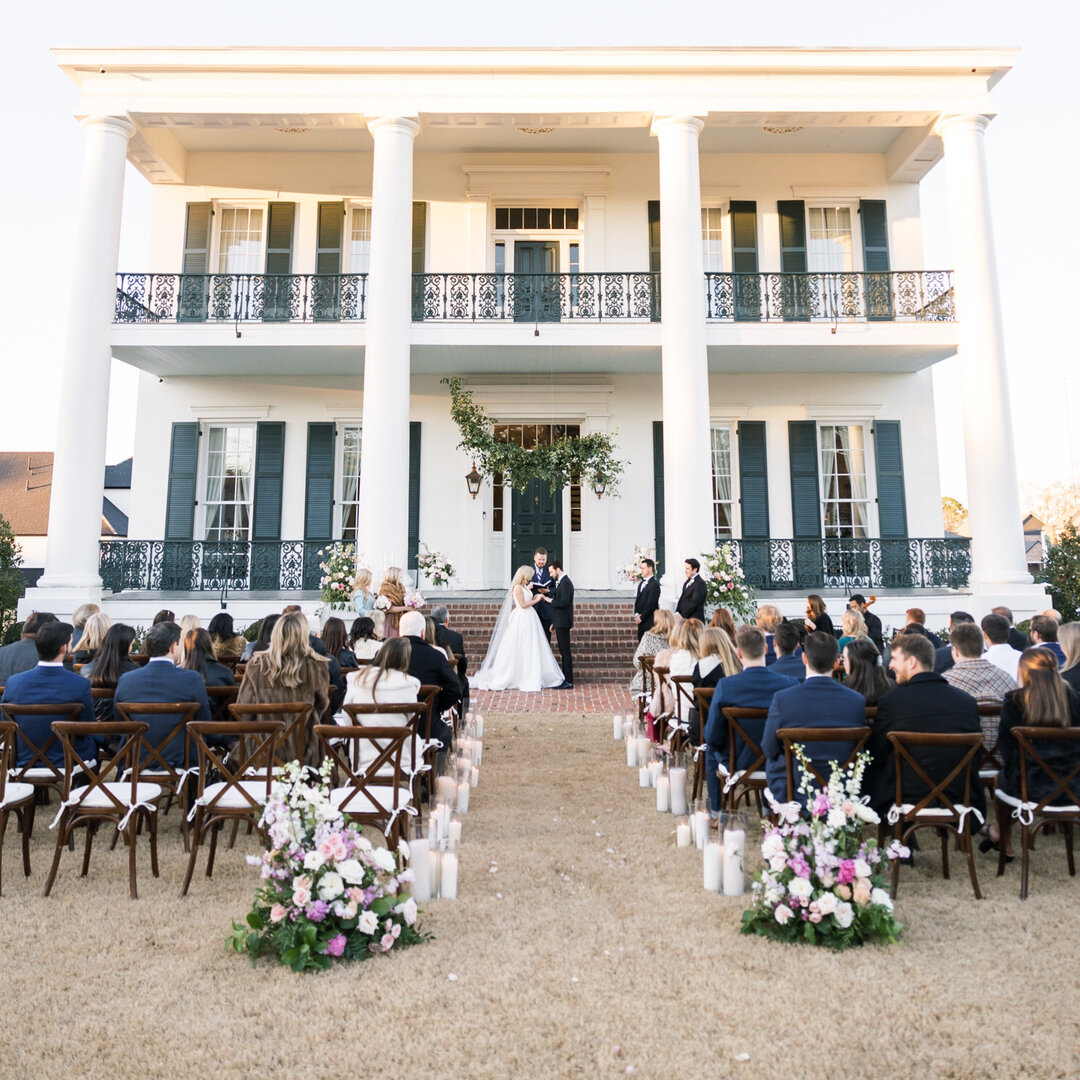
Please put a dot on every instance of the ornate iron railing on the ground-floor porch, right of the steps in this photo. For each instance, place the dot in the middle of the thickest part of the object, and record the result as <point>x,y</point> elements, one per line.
<point>848,564</point>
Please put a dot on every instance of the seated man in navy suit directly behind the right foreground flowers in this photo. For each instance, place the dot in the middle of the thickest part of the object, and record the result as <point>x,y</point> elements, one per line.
<point>818,703</point>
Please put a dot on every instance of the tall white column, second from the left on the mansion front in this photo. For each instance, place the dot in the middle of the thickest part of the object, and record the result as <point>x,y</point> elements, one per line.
<point>383,534</point>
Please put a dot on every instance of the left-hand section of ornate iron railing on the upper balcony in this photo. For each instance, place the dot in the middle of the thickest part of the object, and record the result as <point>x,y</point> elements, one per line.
<point>240,299</point>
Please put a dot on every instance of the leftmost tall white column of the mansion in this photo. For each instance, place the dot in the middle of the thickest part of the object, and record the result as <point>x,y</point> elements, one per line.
<point>75,509</point>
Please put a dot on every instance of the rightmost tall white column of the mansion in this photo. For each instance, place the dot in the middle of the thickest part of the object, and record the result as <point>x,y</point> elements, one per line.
<point>997,533</point>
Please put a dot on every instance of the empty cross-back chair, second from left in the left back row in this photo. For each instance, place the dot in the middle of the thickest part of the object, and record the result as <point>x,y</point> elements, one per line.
<point>128,803</point>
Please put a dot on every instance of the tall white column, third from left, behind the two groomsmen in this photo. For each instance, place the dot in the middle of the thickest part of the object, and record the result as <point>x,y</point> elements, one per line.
<point>688,516</point>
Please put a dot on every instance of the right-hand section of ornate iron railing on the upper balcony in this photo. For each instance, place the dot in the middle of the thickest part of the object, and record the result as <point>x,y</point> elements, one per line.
<point>896,296</point>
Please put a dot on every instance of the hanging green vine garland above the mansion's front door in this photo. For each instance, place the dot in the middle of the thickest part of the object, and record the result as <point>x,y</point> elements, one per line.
<point>585,460</point>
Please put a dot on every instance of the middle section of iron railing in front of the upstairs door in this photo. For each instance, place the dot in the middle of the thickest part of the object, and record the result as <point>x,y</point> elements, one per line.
<point>536,298</point>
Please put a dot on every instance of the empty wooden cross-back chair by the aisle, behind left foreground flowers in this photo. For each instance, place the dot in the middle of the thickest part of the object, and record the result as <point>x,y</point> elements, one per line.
<point>376,795</point>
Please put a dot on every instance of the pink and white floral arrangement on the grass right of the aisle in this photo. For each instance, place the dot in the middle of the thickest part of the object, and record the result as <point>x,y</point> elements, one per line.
<point>823,884</point>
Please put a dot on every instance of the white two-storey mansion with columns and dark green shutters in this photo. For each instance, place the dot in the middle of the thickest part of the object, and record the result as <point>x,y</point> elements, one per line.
<point>715,254</point>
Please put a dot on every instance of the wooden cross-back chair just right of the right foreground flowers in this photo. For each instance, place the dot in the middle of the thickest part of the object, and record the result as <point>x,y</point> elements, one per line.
<point>936,809</point>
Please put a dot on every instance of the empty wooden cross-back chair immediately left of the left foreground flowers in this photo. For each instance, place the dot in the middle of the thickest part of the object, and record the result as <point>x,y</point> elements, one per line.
<point>244,786</point>
